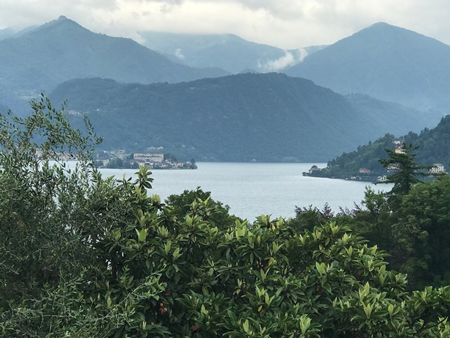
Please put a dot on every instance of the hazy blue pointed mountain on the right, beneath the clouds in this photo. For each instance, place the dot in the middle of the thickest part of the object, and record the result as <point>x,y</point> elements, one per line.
<point>386,62</point>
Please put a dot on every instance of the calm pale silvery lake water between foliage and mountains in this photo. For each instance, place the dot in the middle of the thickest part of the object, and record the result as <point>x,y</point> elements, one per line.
<point>252,189</point>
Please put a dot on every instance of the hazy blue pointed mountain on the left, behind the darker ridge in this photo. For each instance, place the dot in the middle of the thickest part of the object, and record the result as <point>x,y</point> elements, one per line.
<point>60,50</point>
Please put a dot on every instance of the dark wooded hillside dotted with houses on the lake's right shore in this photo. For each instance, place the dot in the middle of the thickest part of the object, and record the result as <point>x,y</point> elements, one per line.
<point>433,146</point>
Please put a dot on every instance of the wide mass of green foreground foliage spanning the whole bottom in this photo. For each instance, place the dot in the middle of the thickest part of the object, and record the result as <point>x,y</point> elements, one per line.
<point>85,256</point>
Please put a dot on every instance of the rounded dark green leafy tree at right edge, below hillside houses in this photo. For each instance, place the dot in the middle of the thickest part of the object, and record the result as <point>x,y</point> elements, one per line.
<point>423,232</point>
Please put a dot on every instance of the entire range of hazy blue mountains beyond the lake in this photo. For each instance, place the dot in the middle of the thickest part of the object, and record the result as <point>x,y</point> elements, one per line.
<point>382,71</point>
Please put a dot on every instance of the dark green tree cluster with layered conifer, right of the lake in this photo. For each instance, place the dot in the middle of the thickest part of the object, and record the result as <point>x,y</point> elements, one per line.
<point>411,223</point>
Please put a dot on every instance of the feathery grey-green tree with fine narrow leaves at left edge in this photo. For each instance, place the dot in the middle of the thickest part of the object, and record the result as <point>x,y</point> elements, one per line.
<point>38,197</point>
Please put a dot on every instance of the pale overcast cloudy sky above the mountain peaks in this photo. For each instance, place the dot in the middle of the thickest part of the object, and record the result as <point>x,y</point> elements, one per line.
<point>283,23</point>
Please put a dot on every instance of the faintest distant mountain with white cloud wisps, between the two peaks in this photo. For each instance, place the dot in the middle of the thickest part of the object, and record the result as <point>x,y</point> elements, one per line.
<point>225,51</point>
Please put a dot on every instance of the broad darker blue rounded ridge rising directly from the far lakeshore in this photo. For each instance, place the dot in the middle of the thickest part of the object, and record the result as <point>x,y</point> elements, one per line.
<point>245,117</point>
